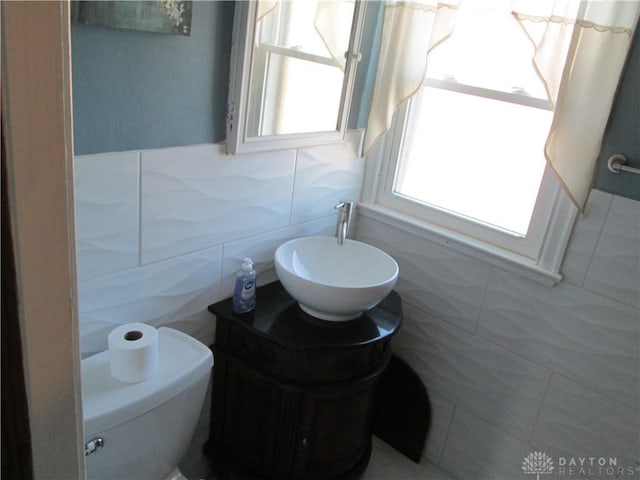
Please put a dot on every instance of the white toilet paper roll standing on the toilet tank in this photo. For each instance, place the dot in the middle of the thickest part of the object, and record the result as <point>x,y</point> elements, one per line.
<point>133,352</point>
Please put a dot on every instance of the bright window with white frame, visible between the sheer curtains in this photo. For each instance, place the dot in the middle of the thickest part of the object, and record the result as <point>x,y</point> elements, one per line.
<point>465,156</point>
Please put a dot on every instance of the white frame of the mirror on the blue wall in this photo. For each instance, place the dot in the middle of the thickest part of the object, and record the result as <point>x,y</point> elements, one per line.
<point>238,141</point>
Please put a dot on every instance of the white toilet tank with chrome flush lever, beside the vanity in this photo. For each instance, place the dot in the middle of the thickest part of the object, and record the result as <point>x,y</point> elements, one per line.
<point>140,431</point>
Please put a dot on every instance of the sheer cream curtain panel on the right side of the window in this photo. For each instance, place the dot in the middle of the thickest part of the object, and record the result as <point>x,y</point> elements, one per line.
<point>581,84</point>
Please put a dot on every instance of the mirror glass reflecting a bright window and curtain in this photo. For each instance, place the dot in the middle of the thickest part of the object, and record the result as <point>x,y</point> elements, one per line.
<point>294,56</point>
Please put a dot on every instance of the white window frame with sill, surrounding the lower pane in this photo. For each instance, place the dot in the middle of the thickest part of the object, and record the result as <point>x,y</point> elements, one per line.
<point>552,220</point>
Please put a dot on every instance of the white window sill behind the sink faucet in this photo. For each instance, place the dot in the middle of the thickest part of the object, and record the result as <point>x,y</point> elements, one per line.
<point>490,254</point>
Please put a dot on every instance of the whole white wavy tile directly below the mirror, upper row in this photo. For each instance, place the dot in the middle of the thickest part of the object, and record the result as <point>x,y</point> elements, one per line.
<point>197,196</point>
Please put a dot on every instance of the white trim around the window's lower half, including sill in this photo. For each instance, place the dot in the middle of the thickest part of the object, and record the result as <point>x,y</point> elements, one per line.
<point>543,267</point>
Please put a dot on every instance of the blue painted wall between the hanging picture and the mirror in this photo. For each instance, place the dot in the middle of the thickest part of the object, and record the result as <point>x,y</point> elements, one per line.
<point>136,90</point>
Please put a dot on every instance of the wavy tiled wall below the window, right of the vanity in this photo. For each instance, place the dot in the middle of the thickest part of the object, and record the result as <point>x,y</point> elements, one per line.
<point>517,367</point>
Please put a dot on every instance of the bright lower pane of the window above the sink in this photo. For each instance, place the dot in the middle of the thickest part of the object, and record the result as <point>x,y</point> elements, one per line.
<point>475,157</point>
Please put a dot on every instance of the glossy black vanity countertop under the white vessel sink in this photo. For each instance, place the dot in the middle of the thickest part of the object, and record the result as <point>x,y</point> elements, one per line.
<point>278,317</point>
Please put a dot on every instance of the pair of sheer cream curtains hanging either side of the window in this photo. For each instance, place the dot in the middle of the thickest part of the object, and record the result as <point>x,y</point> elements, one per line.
<point>579,49</point>
